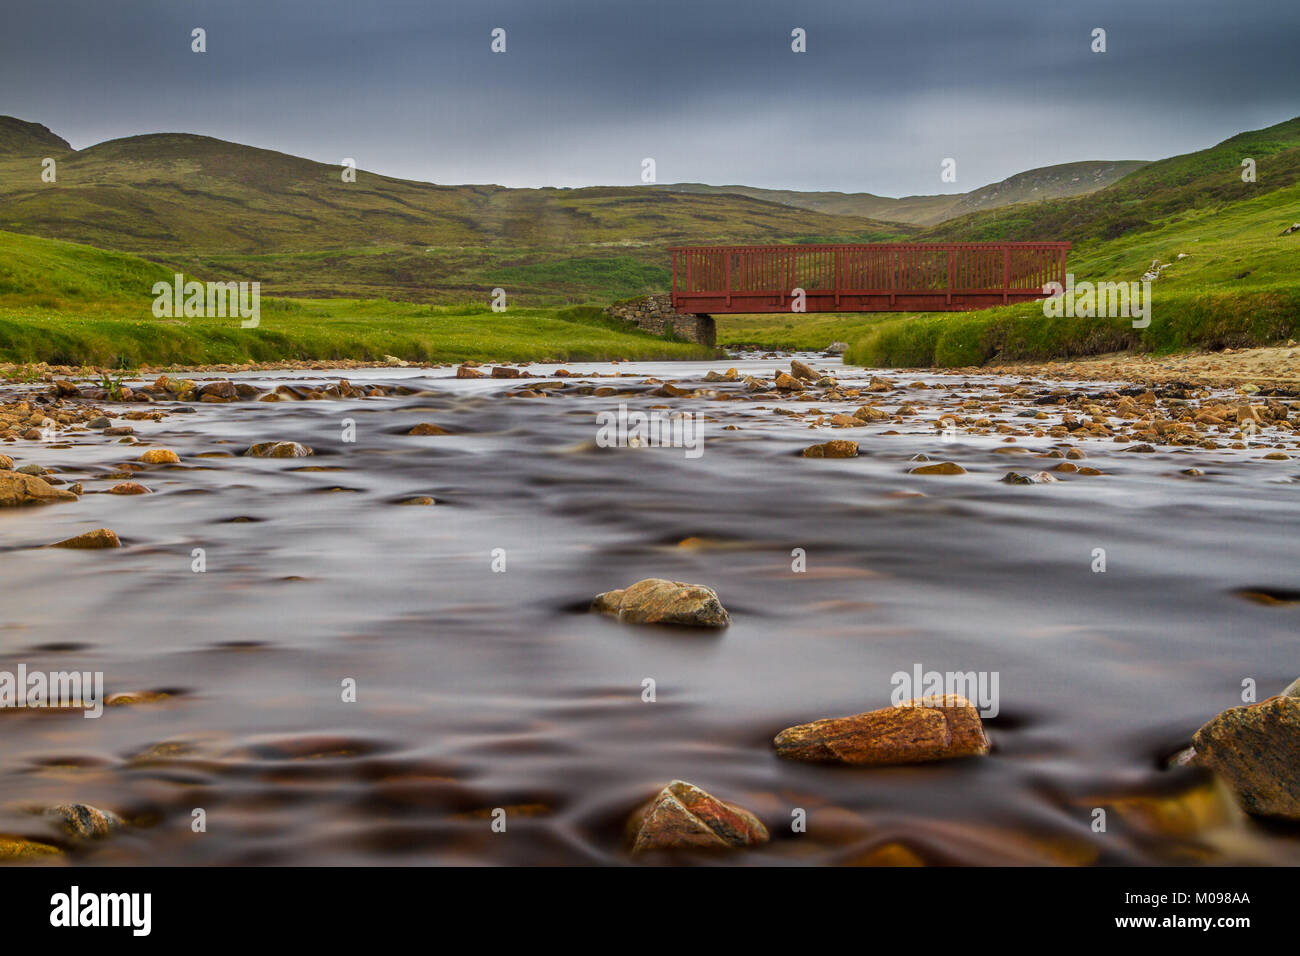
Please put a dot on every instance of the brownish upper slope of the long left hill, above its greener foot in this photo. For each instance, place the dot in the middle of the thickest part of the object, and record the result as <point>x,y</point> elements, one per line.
<point>171,193</point>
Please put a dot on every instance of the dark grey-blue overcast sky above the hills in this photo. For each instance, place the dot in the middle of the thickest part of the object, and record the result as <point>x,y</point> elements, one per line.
<point>708,88</point>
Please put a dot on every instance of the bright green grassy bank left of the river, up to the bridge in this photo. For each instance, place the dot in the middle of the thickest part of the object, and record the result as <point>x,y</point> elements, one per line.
<point>72,305</point>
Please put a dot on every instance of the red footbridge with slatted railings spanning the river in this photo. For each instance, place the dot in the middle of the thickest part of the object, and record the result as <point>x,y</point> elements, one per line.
<point>873,278</point>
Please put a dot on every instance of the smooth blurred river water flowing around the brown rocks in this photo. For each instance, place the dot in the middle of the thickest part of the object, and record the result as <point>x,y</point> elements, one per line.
<point>480,689</point>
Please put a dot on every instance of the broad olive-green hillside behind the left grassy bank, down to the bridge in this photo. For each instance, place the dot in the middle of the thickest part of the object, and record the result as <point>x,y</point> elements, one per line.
<point>231,211</point>
